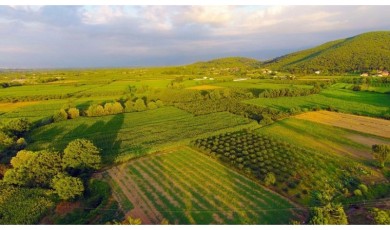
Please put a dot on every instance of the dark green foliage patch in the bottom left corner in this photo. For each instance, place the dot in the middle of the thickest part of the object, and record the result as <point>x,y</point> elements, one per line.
<point>22,205</point>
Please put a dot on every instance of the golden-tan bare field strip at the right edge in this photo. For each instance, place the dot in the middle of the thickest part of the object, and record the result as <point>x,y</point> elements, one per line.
<point>363,124</point>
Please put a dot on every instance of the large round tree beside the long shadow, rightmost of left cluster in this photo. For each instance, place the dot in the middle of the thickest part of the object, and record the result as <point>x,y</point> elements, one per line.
<point>81,154</point>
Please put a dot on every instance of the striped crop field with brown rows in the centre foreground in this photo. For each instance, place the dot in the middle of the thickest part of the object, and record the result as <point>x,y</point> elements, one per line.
<point>184,186</point>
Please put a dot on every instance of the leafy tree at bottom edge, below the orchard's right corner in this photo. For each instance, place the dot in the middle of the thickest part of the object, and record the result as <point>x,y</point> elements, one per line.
<point>329,214</point>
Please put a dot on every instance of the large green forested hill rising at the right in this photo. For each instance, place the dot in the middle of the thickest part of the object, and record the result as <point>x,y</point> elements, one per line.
<point>364,52</point>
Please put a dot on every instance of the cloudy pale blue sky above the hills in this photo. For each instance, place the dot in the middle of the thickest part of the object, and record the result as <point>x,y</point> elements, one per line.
<point>125,36</point>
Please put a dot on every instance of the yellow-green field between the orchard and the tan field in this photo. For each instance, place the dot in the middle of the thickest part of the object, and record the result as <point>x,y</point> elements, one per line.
<point>324,138</point>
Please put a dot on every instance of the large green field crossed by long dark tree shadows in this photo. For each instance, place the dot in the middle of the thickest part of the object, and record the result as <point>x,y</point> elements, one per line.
<point>130,135</point>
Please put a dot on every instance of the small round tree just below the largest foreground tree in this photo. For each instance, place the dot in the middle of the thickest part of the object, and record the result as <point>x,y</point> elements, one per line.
<point>67,187</point>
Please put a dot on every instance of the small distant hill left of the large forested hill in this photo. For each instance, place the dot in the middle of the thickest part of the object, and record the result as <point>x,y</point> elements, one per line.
<point>228,62</point>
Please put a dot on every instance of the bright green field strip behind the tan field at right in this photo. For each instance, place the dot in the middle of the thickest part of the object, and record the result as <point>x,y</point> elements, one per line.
<point>360,103</point>
